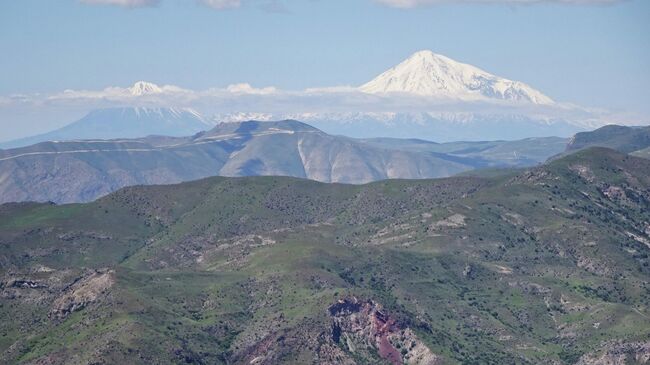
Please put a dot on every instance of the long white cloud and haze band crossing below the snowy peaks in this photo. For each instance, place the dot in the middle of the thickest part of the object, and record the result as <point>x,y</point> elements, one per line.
<point>245,99</point>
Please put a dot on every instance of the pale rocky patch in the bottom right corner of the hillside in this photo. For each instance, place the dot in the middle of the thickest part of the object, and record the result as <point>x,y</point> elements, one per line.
<point>618,353</point>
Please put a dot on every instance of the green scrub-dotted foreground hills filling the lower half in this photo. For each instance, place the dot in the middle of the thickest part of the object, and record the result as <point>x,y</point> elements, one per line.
<point>549,266</point>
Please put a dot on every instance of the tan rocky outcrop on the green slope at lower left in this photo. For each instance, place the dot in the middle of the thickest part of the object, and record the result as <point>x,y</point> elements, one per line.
<point>85,291</point>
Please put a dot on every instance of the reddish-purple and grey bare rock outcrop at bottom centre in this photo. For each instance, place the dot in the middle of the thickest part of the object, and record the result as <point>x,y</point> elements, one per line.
<point>359,325</point>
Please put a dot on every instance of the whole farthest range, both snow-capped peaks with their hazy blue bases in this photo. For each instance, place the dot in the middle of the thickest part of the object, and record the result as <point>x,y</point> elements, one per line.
<point>434,97</point>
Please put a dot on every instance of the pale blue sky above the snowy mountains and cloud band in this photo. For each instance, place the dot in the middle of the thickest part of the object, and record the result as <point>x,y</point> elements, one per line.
<point>594,53</point>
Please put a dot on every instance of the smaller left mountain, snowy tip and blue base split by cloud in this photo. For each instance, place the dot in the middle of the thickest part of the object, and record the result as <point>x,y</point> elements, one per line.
<point>124,122</point>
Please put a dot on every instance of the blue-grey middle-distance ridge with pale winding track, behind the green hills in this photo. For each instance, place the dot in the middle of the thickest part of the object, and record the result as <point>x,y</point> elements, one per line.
<point>77,171</point>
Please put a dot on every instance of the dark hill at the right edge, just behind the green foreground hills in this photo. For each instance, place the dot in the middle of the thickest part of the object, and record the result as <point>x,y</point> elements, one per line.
<point>620,138</point>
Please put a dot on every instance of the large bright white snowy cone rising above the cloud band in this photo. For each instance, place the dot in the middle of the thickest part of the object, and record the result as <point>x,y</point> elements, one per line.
<point>428,74</point>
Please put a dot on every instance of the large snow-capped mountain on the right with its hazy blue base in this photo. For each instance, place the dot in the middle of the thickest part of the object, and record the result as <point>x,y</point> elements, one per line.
<point>445,101</point>
